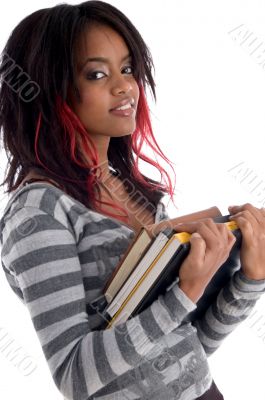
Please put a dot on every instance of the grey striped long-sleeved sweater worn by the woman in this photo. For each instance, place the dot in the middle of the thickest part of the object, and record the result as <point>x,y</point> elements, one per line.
<point>57,256</point>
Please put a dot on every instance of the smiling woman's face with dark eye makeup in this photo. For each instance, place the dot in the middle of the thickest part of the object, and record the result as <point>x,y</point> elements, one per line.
<point>104,84</point>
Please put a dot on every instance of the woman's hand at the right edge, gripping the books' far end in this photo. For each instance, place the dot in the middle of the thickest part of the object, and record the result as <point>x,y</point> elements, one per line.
<point>251,222</point>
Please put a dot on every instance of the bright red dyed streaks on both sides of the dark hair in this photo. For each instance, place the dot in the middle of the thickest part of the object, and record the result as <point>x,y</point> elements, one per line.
<point>72,126</point>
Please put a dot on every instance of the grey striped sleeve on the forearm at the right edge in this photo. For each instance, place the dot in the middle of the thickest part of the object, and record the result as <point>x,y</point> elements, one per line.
<point>233,305</point>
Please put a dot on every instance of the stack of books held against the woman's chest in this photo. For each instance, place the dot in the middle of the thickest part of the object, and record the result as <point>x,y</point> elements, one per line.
<point>150,267</point>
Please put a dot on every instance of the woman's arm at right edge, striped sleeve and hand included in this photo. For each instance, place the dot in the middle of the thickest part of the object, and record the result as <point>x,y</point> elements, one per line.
<point>236,301</point>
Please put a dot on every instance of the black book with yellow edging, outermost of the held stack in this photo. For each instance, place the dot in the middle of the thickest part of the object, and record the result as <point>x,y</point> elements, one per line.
<point>142,295</point>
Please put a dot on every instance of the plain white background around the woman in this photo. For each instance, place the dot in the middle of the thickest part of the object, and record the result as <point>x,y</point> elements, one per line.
<point>209,120</point>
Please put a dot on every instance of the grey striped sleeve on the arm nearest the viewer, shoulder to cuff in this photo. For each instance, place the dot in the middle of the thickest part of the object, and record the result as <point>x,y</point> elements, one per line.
<point>41,253</point>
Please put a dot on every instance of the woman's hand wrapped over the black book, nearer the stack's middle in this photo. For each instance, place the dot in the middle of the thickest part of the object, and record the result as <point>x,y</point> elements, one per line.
<point>211,244</point>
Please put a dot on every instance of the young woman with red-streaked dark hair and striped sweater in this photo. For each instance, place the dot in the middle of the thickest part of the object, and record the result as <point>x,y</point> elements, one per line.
<point>74,119</point>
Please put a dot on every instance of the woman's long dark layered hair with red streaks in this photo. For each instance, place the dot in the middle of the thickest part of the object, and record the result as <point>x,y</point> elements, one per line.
<point>38,127</point>
